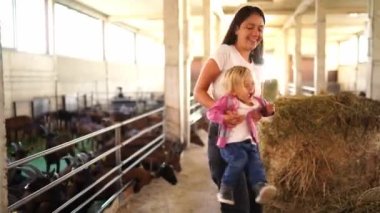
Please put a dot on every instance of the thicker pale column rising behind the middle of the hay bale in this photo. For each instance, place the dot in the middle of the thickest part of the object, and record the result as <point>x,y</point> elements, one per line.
<point>320,56</point>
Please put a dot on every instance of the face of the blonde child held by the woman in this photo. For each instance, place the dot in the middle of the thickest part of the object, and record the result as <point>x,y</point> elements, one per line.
<point>245,90</point>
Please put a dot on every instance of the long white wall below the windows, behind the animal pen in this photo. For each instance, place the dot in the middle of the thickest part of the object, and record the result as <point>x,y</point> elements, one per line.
<point>27,76</point>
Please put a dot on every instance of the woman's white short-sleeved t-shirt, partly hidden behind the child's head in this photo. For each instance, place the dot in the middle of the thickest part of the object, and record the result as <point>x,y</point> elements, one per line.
<point>226,57</point>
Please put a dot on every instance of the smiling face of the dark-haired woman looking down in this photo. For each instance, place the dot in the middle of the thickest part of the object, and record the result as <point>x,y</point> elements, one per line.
<point>250,32</point>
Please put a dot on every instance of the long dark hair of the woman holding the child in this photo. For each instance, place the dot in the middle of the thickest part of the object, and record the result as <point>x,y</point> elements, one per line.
<point>256,55</point>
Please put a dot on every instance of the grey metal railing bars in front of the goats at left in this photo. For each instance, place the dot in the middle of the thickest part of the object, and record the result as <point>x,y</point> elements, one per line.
<point>115,149</point>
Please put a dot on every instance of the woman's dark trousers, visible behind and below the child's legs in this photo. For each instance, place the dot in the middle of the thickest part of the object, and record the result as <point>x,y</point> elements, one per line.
<point>243,193</point>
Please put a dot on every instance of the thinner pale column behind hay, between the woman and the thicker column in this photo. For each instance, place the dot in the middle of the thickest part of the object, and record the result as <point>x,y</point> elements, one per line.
<point>297,74</point>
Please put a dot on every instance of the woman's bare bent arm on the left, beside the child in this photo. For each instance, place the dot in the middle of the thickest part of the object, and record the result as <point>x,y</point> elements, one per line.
<point>209,74</point>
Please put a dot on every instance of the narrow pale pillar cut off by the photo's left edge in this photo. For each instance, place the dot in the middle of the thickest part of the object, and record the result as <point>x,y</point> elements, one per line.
<point>3,148</point>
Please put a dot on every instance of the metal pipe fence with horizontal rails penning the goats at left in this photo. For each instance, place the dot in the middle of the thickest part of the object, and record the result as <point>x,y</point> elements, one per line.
<point>146,150</point>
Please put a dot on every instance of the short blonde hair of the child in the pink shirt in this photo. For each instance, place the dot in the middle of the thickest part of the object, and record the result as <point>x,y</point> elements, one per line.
<point>234,77</point>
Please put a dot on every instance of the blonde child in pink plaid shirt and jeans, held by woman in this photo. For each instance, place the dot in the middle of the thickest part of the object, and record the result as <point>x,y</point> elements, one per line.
<point>239,145</point>
